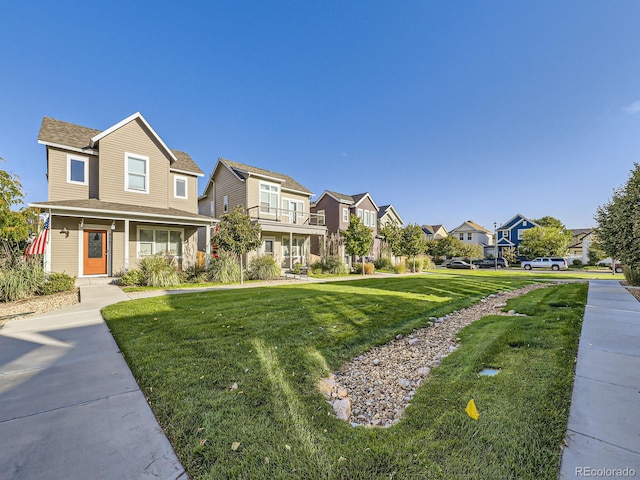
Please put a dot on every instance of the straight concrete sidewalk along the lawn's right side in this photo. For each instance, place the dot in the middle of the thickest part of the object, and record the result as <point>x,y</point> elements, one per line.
<point>603,434</point>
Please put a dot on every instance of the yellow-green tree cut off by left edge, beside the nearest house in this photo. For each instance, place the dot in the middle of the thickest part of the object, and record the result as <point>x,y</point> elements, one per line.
<point>15,225</point>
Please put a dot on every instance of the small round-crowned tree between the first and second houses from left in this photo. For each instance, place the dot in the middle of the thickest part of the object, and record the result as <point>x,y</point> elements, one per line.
<point>237,234</point>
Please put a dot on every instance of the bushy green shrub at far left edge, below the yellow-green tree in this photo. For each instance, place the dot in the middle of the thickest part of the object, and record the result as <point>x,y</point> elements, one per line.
<point>20,277</point>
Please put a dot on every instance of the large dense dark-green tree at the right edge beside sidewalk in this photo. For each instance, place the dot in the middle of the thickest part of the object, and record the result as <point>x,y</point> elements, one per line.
<point>618,222</point>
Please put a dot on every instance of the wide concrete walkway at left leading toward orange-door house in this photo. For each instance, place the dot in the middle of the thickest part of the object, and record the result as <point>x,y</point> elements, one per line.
<point>69,405</point>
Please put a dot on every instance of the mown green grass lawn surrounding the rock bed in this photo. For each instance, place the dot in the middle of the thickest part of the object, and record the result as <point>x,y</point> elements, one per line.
<point>275,343</point>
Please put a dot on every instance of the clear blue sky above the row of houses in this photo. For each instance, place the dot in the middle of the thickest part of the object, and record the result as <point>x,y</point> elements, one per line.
<point>450,111</point>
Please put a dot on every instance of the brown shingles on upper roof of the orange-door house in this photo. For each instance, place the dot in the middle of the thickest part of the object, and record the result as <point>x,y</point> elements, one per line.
<point>77,136</point>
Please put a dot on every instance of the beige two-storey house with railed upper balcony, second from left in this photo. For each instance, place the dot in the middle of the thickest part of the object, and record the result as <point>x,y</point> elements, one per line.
<point>275,201</point>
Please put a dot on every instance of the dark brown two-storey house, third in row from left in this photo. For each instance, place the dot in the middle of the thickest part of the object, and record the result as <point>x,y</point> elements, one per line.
<point>337,209</point>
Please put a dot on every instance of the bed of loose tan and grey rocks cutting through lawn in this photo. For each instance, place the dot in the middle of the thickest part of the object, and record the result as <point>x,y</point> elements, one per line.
<point>375,387</point>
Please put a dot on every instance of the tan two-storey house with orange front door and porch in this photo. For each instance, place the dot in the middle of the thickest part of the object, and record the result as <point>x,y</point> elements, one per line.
<point>116,196</point>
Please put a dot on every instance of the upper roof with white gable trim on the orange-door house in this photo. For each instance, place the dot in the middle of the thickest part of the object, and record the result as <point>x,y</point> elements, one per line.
<point>78,138</point>
